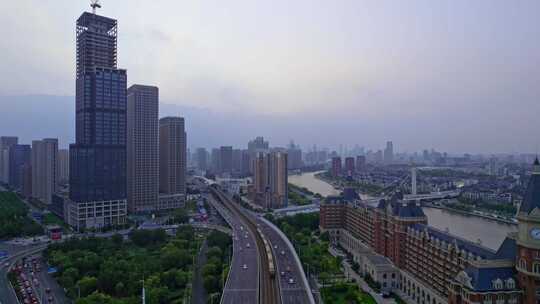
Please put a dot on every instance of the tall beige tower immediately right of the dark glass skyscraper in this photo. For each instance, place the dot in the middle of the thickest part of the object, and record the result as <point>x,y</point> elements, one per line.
<point>142,148</point>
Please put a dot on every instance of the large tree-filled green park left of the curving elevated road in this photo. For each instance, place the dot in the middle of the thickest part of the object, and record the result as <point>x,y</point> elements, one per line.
<point>99,270</point>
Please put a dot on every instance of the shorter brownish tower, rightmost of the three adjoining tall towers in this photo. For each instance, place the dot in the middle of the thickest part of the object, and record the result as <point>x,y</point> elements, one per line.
<point>172,155</point>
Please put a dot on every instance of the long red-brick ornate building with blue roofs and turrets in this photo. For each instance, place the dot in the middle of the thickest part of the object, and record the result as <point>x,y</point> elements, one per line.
<point>433,266</point>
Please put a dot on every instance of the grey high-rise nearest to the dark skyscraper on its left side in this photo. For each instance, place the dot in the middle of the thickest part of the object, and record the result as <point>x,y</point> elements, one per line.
<point>44,169</point>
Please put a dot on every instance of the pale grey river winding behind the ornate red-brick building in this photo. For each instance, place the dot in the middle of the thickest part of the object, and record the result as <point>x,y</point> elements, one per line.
<point>491,233</point>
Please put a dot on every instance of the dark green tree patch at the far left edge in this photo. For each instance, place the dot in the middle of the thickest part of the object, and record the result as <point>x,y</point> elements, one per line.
<point>14,220</point>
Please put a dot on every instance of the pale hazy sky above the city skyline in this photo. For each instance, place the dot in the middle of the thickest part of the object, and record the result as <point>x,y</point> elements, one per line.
<point>458,75</point>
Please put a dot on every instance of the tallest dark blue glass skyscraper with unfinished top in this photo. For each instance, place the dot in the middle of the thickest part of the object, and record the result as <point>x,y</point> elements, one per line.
<point>98,157</point>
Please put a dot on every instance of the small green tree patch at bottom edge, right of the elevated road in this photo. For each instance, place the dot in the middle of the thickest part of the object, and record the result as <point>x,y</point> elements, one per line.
<point>345,293</point>
